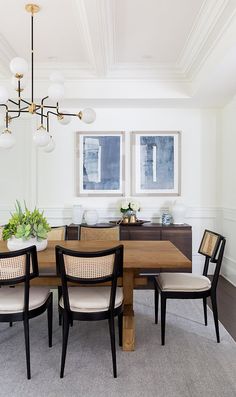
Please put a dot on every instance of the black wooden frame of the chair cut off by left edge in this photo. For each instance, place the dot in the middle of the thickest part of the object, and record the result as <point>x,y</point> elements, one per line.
<point>26,314</point>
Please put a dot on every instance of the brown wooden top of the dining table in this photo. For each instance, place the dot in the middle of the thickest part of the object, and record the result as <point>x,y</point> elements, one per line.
<point>137,254</point>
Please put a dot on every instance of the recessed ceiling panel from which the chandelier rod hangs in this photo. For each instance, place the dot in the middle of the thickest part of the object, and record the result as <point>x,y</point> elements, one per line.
<point>57,31</point>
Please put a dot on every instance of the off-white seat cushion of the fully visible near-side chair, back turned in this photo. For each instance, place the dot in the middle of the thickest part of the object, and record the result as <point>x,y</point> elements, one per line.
<point>91,299</point>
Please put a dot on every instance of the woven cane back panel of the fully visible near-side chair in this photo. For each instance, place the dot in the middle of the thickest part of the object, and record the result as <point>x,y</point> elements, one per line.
<point>87,268</point>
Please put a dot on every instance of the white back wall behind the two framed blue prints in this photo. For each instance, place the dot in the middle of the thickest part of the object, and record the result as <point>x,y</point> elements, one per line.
<point>49,179</point>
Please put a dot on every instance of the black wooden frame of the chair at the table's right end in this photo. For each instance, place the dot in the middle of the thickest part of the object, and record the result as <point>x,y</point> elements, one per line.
<point>217,257</point>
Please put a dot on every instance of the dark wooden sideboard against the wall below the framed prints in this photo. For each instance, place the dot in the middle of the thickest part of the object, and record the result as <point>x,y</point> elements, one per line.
<point>179,235</point>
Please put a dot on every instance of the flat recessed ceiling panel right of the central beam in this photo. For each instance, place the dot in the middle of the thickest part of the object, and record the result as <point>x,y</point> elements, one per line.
<point>153,30</point>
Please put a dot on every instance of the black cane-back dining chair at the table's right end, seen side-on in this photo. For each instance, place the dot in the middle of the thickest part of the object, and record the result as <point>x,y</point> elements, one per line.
<point>192,286</point>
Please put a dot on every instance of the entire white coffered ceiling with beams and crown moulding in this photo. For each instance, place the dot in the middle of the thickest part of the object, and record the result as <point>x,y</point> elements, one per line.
<point>156,52</point>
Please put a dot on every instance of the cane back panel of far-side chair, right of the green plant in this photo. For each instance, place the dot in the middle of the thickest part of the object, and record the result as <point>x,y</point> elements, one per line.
<point>99,233</point>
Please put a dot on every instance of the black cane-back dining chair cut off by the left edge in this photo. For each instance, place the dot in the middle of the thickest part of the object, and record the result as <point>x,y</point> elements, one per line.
<point>19,301</point>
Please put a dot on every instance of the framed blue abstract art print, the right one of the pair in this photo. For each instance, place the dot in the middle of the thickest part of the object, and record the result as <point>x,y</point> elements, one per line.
<point>155,163</point>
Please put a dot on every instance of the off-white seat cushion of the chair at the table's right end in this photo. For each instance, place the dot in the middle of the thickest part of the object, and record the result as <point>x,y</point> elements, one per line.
<point>183,282</point>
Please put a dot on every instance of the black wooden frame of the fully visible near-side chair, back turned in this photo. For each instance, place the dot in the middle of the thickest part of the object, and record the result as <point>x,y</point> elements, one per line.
<point>68,315</point>
